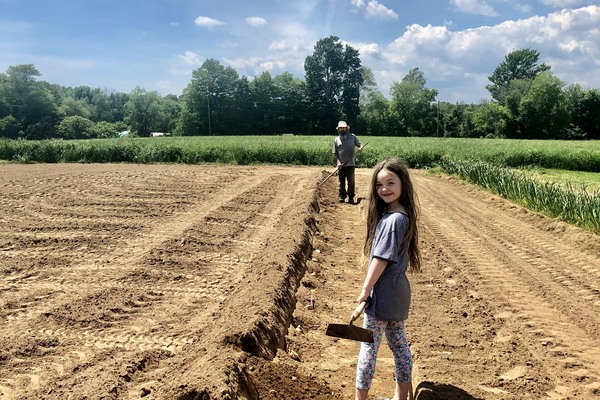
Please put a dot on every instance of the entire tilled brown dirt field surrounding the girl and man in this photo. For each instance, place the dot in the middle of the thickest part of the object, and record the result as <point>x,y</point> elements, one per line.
<point>218,282</point>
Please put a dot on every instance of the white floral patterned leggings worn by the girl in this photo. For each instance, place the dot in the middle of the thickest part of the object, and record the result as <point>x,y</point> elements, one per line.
<point>367,357</point>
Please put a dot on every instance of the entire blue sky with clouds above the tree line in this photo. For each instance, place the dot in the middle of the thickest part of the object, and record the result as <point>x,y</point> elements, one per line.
<point>156,44</point>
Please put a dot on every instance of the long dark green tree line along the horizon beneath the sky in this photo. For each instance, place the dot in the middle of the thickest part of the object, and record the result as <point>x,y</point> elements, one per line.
<point>528,102</point>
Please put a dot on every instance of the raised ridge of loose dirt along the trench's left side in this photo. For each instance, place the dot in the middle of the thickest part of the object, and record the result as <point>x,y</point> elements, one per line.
<point>253,319</point>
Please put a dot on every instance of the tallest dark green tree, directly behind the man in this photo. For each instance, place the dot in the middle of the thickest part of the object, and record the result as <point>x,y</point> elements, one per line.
<point>333,76</point>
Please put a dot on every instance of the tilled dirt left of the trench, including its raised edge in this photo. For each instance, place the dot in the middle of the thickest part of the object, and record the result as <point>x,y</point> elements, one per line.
<point>123,281</point>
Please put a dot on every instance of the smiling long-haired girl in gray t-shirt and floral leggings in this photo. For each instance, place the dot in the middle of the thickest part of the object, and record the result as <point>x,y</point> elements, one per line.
<point>392,244</point>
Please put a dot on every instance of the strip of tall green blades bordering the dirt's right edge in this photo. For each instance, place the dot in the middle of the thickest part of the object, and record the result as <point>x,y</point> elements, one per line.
<point>577,207</point>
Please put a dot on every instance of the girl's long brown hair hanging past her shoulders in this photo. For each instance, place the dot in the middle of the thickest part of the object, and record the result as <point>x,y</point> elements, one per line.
<point>408,198</point>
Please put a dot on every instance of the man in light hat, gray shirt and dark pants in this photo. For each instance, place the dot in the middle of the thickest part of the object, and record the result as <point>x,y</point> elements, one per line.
<point>343,150</point>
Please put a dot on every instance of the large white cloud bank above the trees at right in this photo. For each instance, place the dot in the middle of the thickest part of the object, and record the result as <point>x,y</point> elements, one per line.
<point>454,59</point>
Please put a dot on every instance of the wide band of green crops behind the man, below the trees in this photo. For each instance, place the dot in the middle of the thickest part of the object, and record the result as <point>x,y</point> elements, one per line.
<point>305,150</point>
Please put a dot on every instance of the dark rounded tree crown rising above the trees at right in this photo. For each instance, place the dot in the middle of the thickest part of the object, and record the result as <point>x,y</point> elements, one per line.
<point>522,64</point>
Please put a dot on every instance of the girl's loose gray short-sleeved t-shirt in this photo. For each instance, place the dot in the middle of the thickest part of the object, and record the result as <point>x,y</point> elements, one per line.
<point>390,297</point>
